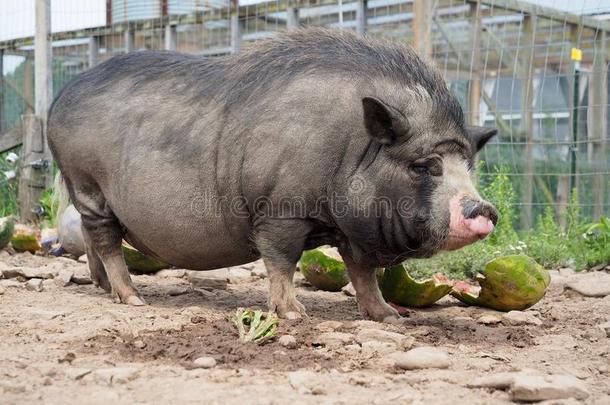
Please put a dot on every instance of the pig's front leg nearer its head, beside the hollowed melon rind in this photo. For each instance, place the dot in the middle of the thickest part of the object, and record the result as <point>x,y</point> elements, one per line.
<point>370,300</point>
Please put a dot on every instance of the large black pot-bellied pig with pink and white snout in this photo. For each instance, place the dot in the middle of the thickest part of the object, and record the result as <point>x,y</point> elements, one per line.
<point>312,137</point>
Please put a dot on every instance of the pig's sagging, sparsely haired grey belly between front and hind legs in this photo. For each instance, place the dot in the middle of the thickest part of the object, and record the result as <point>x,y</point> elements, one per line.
<point>178,217</point>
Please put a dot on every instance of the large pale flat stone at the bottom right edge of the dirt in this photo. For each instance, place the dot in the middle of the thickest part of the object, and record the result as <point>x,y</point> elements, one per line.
<point>540,388</point>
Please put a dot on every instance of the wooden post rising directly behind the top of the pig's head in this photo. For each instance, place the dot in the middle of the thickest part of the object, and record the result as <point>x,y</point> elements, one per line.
<point>474,94</point>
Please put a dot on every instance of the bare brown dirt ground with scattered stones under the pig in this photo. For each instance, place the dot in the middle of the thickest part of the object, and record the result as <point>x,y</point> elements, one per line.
<point>74,345</point>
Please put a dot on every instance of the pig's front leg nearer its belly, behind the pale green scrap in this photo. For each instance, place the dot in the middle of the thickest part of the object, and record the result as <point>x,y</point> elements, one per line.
<point>281,243</point>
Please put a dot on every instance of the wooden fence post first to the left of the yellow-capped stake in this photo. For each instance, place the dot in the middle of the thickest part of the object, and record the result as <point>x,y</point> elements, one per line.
<point>527,116</point>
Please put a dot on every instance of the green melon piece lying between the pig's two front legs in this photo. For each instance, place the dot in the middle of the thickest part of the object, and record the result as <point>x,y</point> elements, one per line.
<point>322,271</point>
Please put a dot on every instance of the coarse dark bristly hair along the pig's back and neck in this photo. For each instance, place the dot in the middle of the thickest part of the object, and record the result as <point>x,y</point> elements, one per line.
<point>273,62</point>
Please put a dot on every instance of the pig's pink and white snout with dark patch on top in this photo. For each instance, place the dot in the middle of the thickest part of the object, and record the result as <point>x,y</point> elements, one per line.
<point>470,220</point>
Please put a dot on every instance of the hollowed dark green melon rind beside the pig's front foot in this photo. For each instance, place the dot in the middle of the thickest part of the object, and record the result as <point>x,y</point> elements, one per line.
<point>398,287</point>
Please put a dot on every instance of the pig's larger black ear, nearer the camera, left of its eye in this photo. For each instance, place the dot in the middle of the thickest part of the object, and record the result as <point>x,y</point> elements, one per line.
<point>384,123</point>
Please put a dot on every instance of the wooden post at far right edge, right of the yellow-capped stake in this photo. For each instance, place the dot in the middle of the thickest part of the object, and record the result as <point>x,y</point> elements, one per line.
<point>597,125</point>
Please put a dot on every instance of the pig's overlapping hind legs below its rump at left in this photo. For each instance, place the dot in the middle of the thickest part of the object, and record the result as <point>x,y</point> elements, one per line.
<point>103,237</point>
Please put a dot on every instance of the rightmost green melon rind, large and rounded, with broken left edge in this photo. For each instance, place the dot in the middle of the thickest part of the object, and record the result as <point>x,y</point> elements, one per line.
<point>509,283</point>
